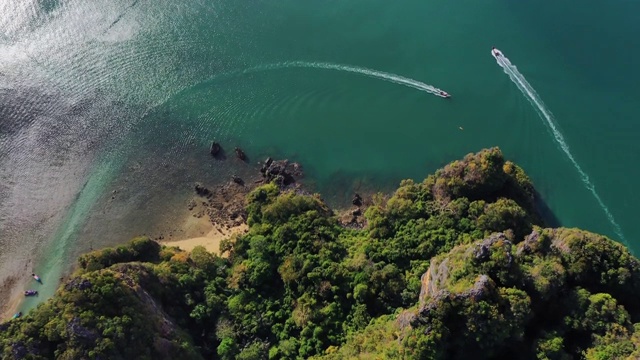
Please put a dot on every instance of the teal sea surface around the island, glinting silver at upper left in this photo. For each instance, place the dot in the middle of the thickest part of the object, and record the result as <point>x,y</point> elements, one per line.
<point>107,108</point>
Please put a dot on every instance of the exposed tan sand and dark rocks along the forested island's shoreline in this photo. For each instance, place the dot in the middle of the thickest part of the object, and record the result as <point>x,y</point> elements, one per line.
<point>210,215</point>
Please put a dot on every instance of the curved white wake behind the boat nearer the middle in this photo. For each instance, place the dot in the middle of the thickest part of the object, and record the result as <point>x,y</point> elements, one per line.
<point>396,79</point>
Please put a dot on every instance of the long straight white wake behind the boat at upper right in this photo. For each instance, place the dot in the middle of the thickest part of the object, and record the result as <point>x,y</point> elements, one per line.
<point>526,89</point>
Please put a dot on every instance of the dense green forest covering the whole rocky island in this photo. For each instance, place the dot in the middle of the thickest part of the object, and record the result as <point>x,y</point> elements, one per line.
<point>458,266</point>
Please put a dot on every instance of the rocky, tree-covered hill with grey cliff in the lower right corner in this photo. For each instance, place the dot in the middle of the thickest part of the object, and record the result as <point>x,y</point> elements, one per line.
<point>566,286</point>
